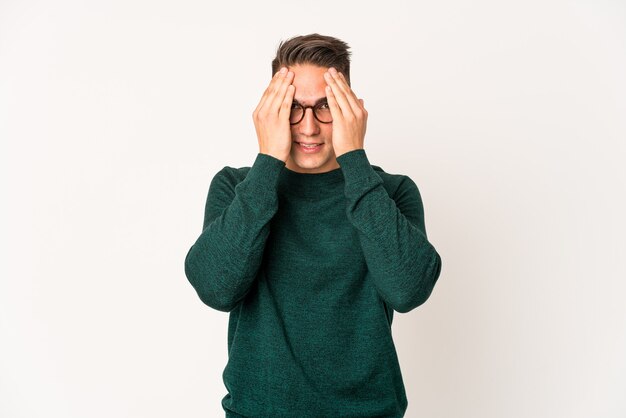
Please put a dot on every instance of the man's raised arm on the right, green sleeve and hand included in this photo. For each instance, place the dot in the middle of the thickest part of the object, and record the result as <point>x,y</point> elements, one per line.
<point>404,265</point>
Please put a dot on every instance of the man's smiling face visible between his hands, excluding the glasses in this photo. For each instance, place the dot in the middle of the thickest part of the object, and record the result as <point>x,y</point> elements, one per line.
<point>310,89</point>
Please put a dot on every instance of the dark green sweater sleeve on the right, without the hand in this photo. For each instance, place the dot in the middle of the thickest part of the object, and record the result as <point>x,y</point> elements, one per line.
<point>403,263</point>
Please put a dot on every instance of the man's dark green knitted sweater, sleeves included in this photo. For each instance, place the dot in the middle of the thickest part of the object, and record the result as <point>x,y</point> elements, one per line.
<point>311,268</point>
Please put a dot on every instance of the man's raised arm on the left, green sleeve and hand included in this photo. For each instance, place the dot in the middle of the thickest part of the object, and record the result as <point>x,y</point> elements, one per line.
<point>225,259</point>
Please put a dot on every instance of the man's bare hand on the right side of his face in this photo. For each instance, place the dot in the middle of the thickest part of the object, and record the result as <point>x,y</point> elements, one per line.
<point>349,115</point>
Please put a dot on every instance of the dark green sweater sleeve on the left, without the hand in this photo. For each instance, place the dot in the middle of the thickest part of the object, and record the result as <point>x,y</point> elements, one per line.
<point>223,262</point>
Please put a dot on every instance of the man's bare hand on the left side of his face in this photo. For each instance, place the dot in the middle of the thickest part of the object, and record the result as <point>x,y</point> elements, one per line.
<point>271,116</point>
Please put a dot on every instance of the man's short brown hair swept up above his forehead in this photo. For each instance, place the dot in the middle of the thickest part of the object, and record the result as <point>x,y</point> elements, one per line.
<point>315,49</point>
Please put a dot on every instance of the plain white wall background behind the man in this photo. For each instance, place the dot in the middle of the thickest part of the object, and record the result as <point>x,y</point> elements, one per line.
<point>509,116</point>
